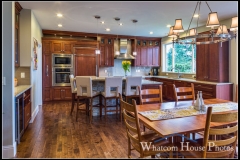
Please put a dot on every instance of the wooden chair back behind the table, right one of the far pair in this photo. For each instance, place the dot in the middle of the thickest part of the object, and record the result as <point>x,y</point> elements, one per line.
<point>184,93</point>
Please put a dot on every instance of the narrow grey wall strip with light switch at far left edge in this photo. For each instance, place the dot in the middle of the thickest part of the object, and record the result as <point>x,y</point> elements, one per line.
<point>8,112</point>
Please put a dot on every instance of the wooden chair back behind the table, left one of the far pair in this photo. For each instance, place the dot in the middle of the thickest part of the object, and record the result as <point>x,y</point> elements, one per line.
<point>150,95</point>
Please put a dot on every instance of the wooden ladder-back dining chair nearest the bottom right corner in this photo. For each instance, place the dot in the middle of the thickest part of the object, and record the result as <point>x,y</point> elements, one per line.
<point>216,148</point>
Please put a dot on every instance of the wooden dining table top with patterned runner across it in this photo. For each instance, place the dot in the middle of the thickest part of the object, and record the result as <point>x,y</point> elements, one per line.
<point>182,125</point>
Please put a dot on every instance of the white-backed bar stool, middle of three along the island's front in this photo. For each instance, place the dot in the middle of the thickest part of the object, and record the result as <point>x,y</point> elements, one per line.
<point>113,86</point>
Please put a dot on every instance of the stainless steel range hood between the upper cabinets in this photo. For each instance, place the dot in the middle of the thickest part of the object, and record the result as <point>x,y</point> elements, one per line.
<point>123,51</point>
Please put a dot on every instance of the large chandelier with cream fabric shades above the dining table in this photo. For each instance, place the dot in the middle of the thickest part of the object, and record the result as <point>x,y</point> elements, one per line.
<point>192,35</point>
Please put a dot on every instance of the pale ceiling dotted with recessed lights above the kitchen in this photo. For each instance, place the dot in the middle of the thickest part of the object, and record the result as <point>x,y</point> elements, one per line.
<point>152,15</point>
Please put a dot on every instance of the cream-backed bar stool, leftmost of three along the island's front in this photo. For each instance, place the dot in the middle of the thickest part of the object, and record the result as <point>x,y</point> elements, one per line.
<point>84,89</point>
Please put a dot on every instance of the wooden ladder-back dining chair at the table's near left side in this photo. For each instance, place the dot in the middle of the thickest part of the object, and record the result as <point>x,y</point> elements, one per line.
<point>136,137</point>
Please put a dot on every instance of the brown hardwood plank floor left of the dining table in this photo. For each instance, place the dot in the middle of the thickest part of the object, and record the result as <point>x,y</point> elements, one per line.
<point>56,134</point>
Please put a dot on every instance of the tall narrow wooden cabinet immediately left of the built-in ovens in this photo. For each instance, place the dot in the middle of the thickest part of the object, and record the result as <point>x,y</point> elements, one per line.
<point>46,70</point>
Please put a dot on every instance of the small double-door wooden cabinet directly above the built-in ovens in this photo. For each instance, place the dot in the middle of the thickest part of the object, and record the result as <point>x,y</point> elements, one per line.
<point>62,47</point>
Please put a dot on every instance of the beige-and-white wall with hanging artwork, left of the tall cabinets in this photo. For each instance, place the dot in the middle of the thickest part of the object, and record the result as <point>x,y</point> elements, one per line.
<point>30,29</point>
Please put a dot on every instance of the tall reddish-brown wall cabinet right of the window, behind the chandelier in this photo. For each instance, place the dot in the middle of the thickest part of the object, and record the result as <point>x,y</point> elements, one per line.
<point>212,62</point>
